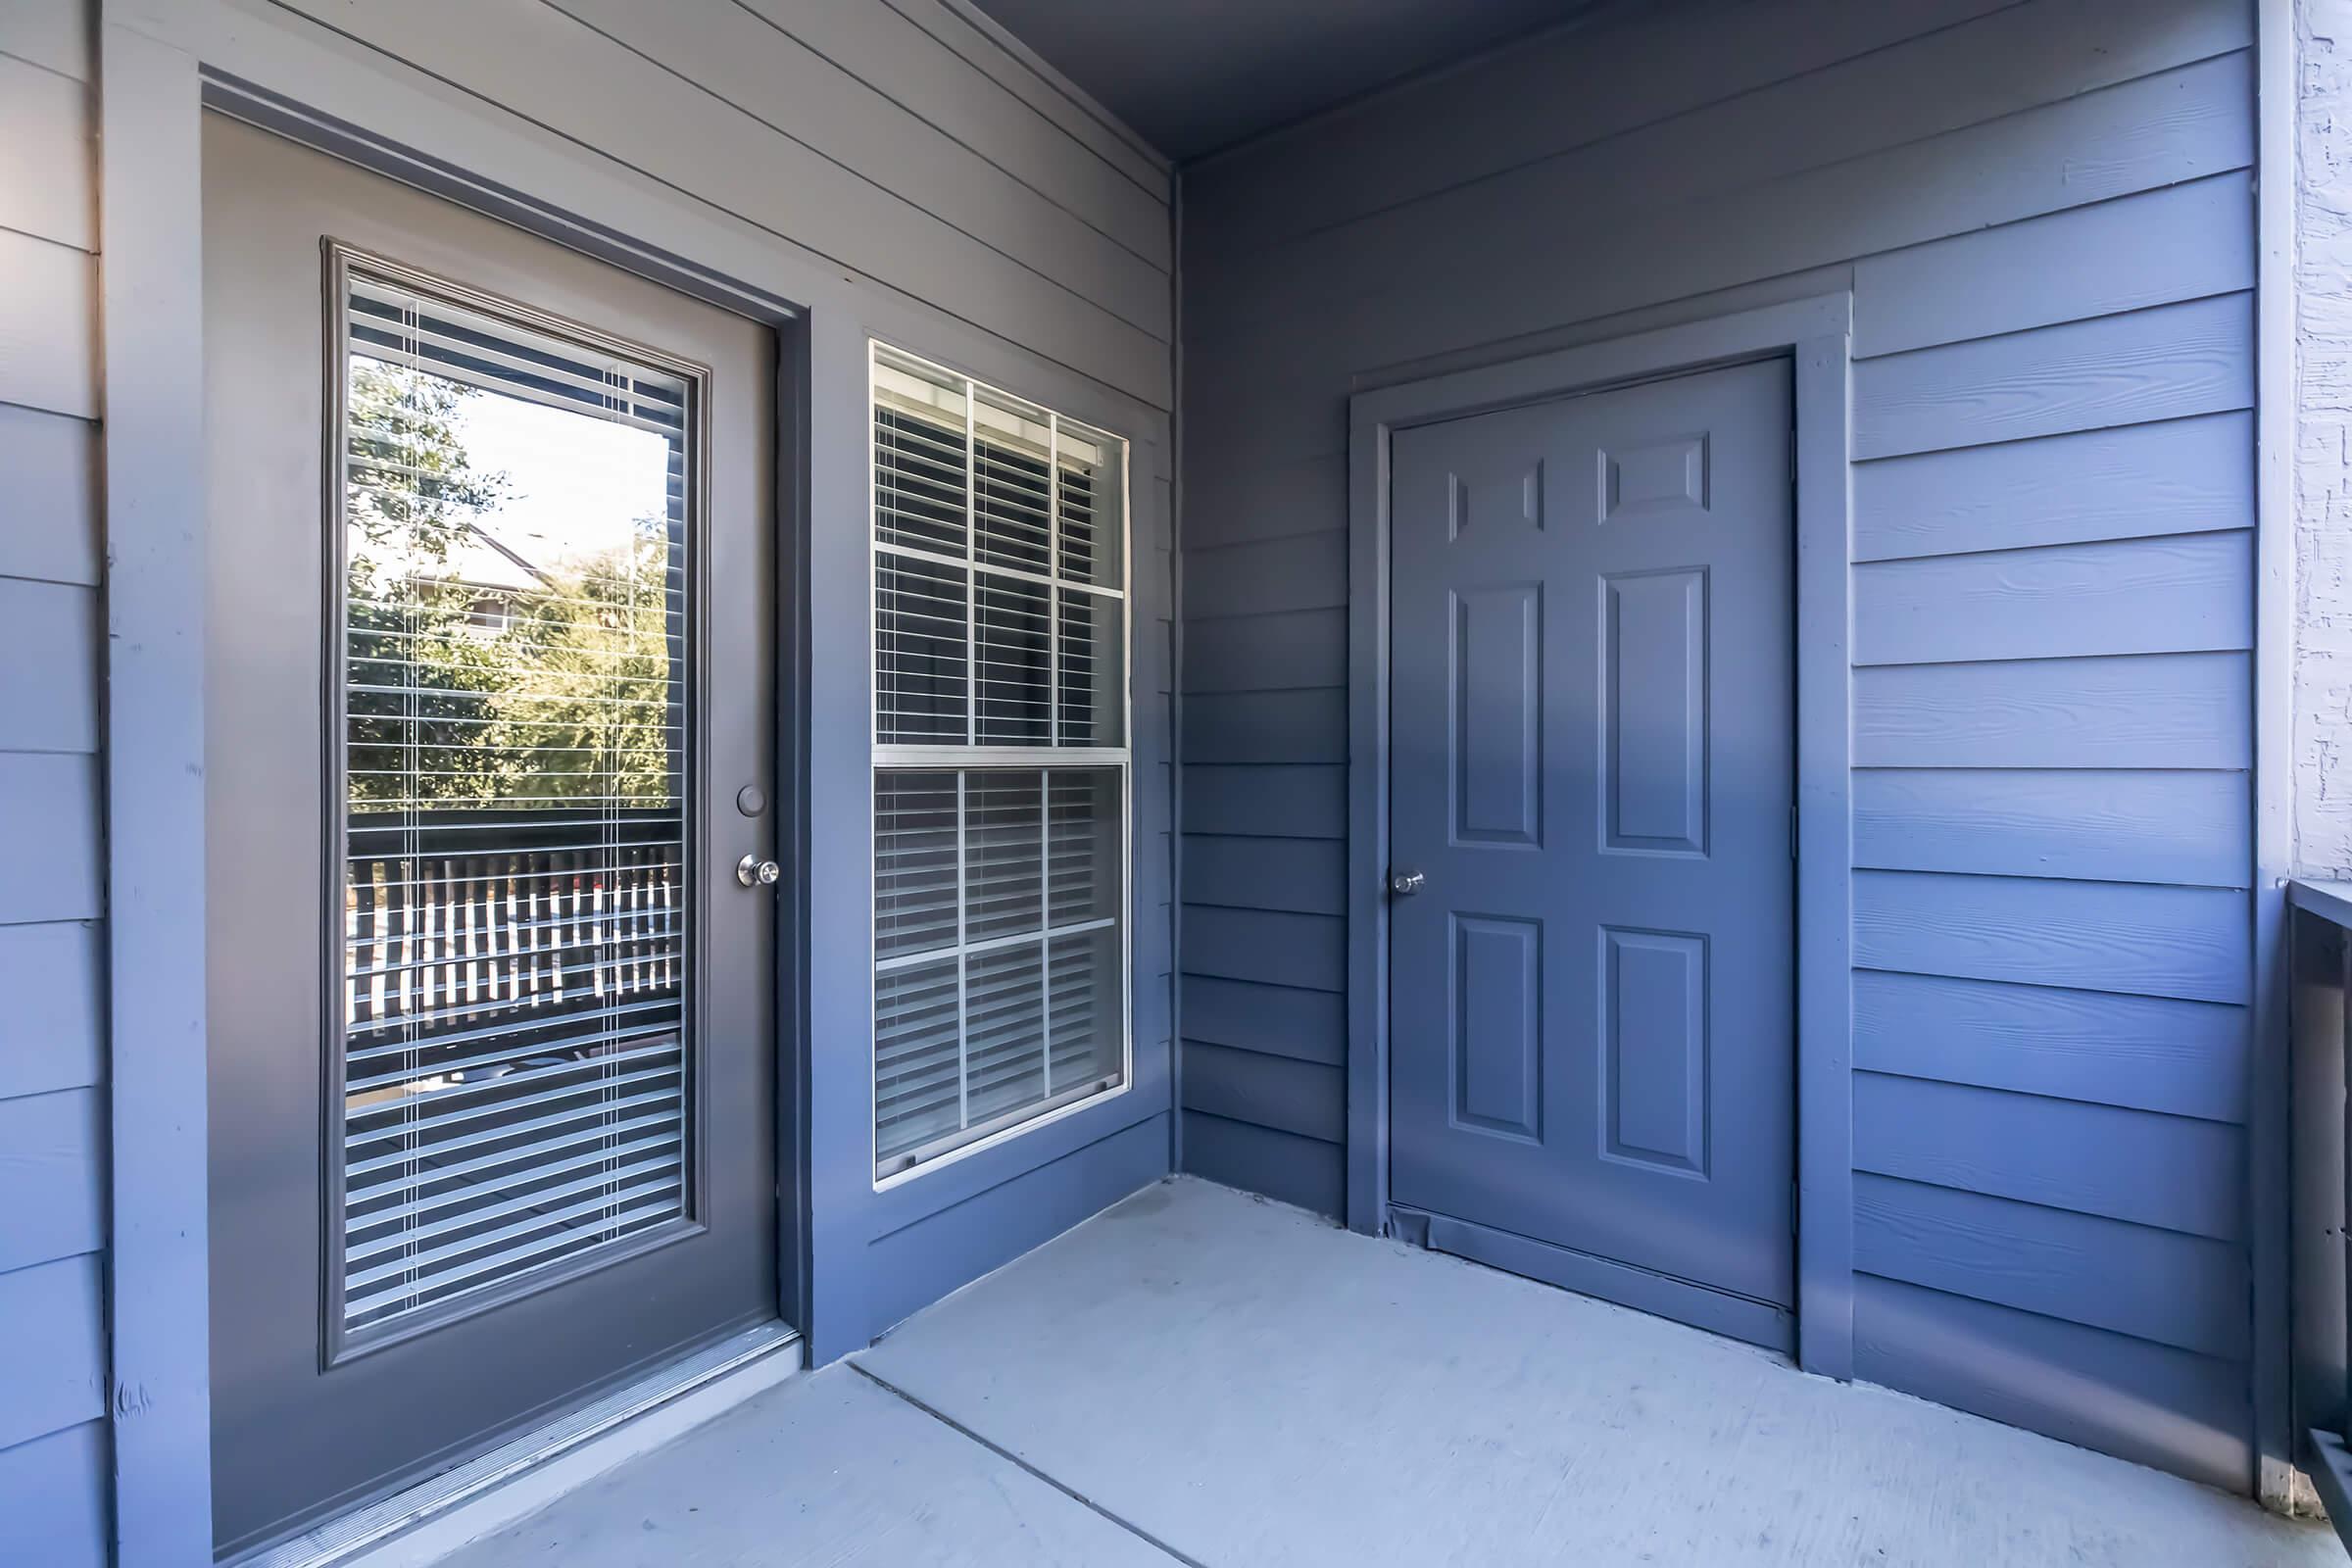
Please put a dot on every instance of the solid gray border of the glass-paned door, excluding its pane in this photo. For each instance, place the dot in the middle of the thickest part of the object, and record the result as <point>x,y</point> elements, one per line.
<point>561,1332</point>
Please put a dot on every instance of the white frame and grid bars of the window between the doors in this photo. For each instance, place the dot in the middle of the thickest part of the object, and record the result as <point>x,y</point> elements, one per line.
<point>1010,758</point>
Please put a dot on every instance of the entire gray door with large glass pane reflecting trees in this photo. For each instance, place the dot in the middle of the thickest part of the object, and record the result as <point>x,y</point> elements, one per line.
<point>488,662</point>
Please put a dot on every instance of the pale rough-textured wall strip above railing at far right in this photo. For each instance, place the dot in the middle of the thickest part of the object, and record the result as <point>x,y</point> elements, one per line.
<point>2325,441</point>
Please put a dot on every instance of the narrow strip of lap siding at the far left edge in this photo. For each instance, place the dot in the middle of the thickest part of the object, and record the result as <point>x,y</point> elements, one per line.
<point>53,1073</point>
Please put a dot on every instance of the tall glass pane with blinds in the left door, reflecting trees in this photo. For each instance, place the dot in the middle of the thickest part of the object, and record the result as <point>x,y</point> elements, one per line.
<point>514,932</point>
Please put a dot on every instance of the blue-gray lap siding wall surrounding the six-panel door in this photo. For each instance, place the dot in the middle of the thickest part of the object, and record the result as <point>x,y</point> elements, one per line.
<point>2047,225</point>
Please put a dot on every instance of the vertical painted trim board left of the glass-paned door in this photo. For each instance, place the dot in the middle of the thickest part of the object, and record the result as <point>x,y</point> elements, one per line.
<point>152,232</point>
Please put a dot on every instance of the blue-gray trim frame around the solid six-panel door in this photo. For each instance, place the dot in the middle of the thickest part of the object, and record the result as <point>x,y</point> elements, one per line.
<point>1817,337</point>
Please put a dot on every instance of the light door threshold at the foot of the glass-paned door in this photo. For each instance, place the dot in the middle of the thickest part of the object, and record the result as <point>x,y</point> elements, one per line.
<point>533,1470</point>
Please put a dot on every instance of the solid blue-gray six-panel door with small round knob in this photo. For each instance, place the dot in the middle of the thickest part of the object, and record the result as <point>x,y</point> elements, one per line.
<point>1593,711</point>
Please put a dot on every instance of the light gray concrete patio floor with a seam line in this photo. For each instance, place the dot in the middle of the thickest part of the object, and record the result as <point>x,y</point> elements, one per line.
<point>1208,1379</point>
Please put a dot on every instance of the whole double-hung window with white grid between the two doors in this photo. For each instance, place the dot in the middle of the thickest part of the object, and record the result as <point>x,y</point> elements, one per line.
<point>1001,763</point>
